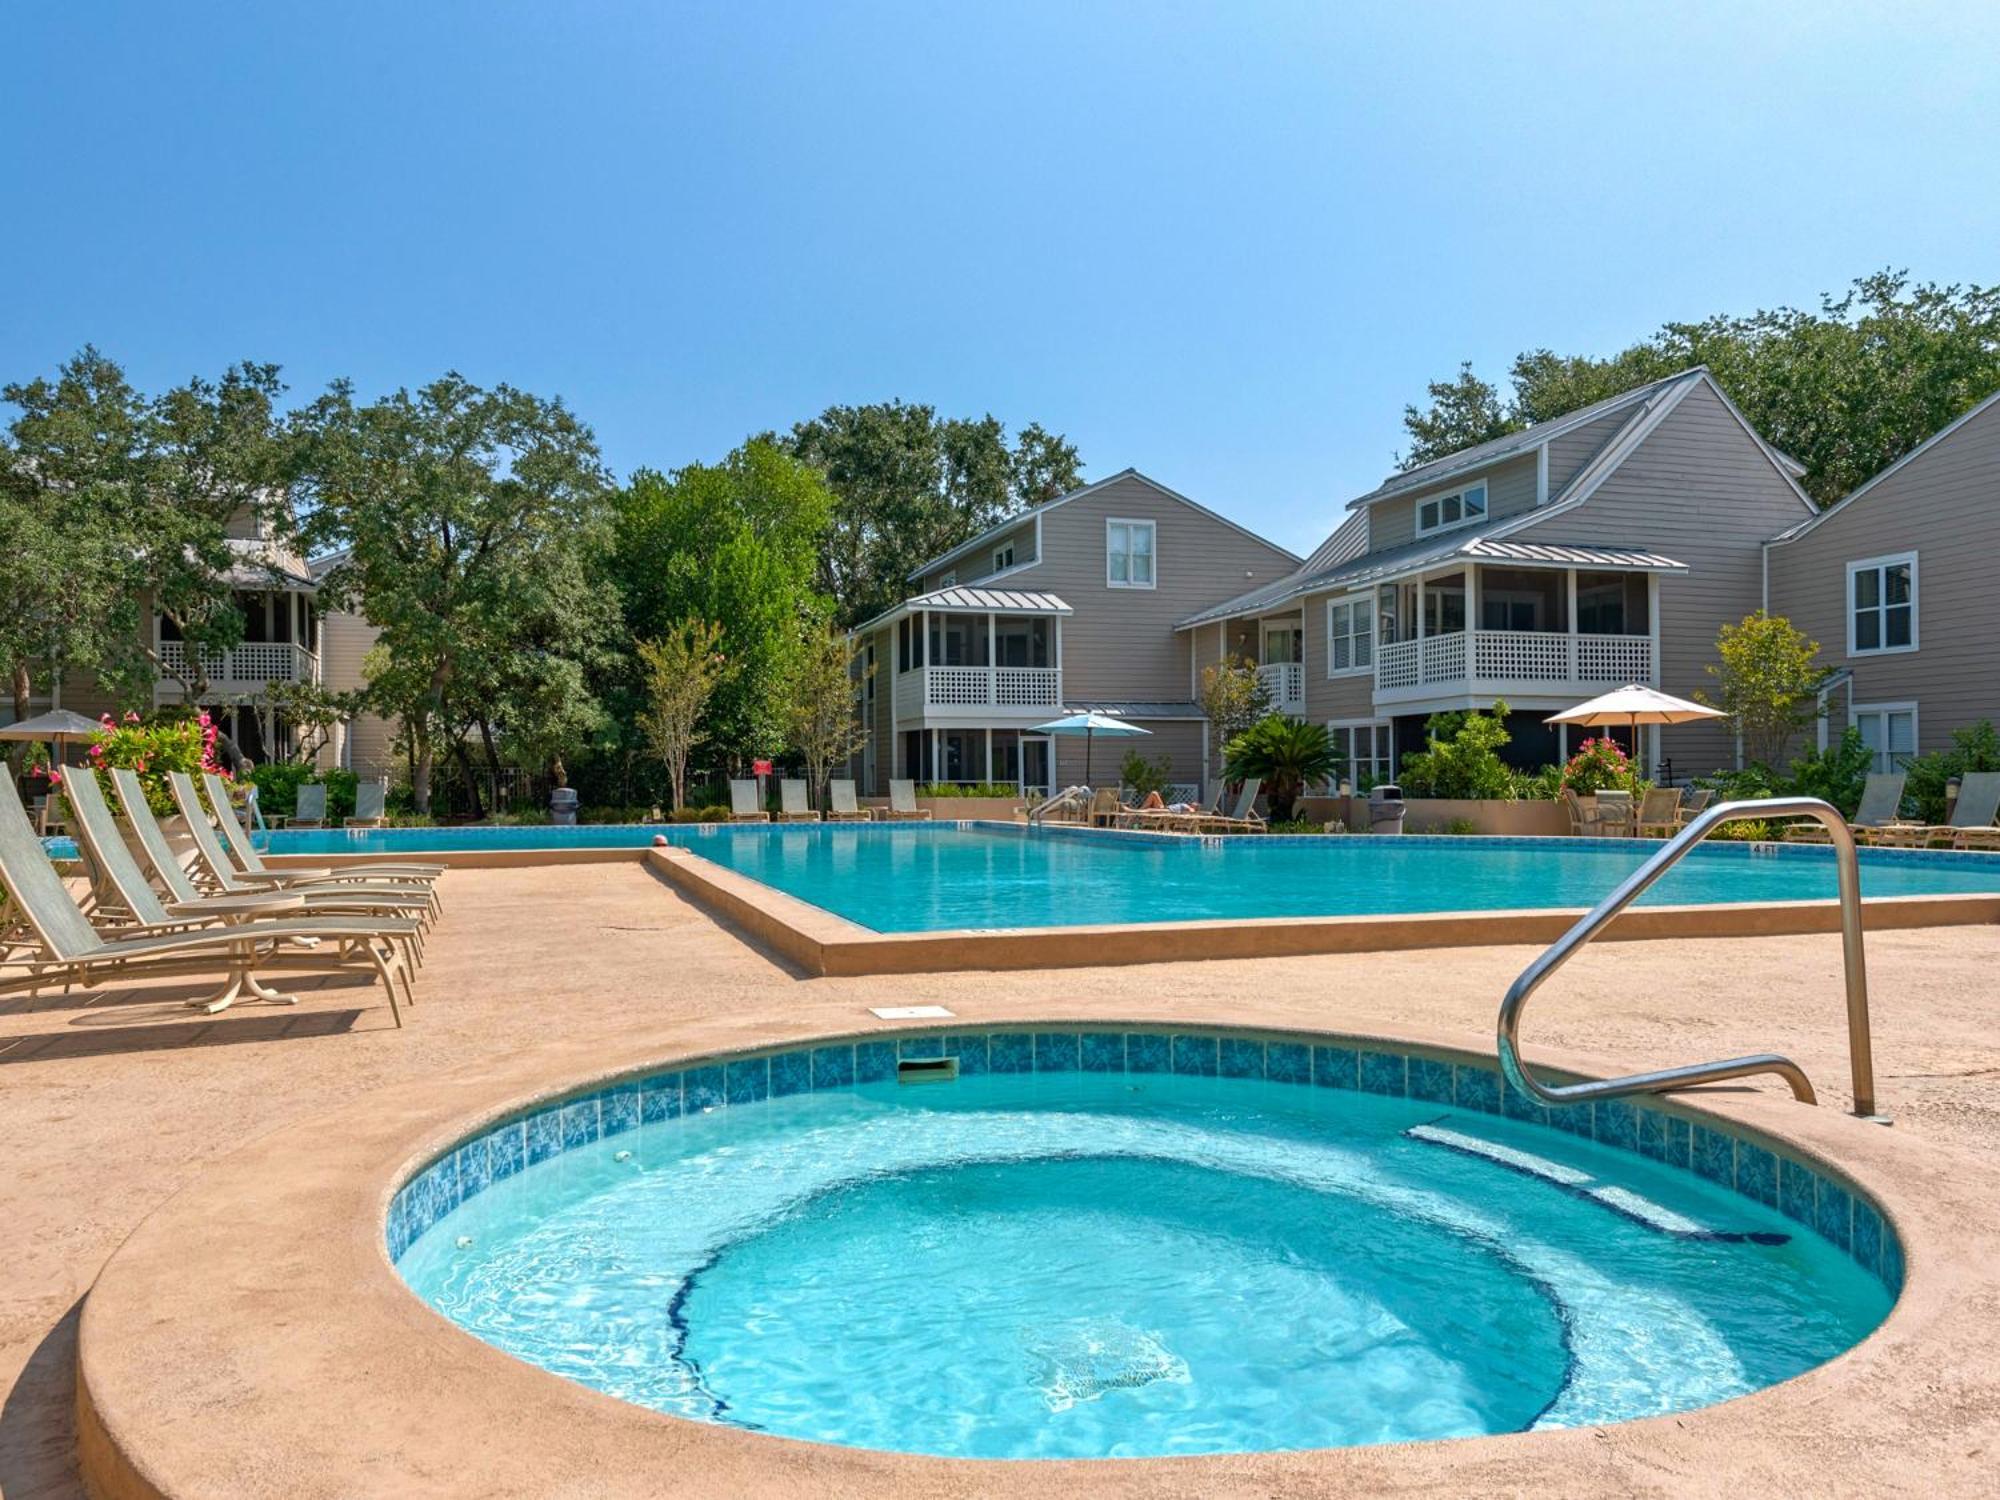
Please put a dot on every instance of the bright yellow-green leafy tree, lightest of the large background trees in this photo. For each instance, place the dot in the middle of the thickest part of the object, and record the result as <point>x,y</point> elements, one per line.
<point>735,543</point>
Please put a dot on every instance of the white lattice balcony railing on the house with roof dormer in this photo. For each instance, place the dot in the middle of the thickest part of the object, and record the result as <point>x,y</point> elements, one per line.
<point>1509,661</point>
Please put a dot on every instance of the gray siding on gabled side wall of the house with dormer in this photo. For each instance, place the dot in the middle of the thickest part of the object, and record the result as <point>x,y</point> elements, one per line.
<point>1703,491</point>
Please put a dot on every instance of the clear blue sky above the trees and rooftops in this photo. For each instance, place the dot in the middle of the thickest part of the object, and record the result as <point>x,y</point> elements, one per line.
<point>1225,245</point>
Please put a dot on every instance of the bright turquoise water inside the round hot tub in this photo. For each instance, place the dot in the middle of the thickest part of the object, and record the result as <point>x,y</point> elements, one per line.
<point>1083,1267</point>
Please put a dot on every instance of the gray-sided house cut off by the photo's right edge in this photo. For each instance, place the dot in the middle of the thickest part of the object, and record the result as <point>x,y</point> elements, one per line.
<point>1895,583</point>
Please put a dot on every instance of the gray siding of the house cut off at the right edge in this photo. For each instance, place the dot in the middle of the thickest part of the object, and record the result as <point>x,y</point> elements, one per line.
<point>1943,505</point>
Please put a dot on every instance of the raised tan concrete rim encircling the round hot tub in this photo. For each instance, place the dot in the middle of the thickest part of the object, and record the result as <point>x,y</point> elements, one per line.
<point>253,1337</point>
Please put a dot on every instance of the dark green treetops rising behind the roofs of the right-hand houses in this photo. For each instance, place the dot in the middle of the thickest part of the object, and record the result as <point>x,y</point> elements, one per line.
<point>1847,389</point>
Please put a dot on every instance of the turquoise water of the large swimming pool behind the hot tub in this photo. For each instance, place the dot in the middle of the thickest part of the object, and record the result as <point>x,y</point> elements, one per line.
<point>941,877</point>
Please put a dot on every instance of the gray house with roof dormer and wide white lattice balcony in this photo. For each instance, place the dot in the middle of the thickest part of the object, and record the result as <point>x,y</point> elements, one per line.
<point>1541,569</point>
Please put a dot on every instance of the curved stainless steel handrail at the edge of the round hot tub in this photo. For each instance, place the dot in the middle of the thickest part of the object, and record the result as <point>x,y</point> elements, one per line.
<point>1861,1053</point>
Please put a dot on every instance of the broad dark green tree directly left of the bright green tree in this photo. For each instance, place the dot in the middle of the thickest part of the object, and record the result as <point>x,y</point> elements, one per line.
<point>467,521</point>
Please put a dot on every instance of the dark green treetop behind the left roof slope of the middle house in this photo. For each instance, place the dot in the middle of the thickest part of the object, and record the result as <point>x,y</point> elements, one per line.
<point>911,487</point>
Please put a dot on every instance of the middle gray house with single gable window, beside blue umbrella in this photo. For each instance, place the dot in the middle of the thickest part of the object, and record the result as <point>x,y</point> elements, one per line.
<point>1061,609</point>
